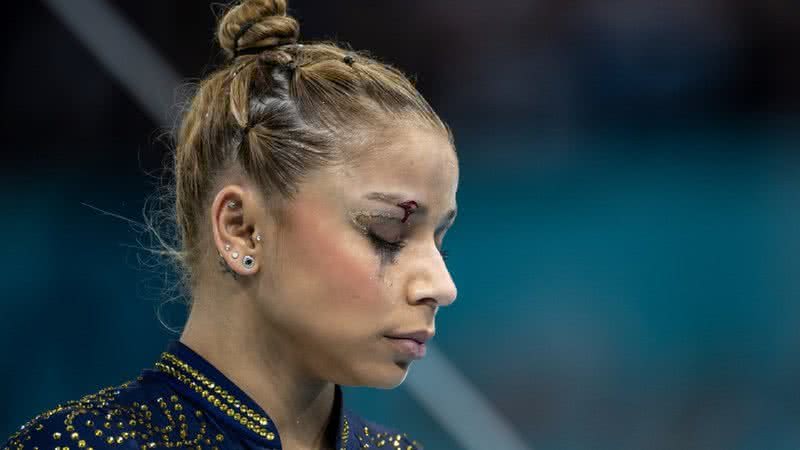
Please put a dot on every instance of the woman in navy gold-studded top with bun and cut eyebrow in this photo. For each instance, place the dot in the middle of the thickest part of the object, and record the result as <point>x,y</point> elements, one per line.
<point>313,188</point>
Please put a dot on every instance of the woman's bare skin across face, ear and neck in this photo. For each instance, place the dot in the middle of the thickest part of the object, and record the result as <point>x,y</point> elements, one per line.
<point>322,297</point>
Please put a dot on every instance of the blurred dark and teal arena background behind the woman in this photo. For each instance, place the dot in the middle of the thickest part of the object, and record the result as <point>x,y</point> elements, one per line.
<point>627,245</point>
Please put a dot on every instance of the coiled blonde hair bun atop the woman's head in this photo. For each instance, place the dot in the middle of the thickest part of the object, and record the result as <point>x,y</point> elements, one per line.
<point>256,23</point>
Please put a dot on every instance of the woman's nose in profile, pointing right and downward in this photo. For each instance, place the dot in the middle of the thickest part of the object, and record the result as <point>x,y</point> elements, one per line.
<point>431,281</point>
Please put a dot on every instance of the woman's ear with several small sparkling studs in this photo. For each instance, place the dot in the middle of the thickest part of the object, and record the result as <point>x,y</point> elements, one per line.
<point>234,213</point>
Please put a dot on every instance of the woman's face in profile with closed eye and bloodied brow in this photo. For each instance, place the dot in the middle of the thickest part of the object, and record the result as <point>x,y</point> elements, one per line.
<point>339,296</point>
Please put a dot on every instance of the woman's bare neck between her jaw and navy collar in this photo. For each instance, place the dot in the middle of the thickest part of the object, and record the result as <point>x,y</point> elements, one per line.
<point>263,366</point>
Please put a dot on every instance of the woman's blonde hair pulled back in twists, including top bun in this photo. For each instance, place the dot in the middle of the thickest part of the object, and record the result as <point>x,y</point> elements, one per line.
<point>275,111</point>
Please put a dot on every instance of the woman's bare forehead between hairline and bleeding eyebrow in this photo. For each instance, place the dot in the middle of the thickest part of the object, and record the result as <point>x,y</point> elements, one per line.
<point>414,160</point>
